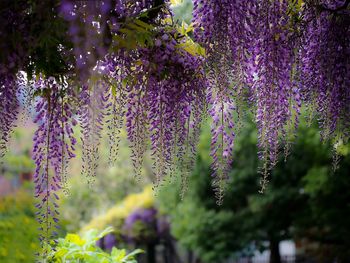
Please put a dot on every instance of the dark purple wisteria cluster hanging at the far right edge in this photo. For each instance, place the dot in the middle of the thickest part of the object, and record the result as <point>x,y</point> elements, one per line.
<point>325,65</point>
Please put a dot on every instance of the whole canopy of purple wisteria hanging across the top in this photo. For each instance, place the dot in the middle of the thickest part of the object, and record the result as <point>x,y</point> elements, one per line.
<point>130,66</point>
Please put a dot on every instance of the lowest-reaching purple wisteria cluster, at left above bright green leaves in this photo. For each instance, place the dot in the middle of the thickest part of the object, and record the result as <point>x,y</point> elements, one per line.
<point>54,145</point>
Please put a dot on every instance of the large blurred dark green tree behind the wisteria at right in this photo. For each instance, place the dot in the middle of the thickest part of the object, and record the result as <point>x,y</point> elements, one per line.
<point>304,200</point>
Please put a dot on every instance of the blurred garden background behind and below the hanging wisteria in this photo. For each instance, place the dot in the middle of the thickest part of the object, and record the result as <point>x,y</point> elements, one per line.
<point>303,216</point>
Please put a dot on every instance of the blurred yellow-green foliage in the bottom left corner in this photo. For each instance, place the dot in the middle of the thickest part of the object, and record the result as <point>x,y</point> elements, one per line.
<point>18,228</point>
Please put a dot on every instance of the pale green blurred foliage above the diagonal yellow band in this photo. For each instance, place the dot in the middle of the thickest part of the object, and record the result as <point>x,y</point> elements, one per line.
<point>114,183</point>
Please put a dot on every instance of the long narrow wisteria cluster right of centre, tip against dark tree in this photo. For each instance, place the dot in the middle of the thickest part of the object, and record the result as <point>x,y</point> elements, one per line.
<point>214,20</point>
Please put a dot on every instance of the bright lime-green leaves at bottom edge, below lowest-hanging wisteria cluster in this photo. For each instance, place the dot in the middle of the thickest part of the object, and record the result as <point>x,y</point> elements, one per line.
<point>74,248</point>
